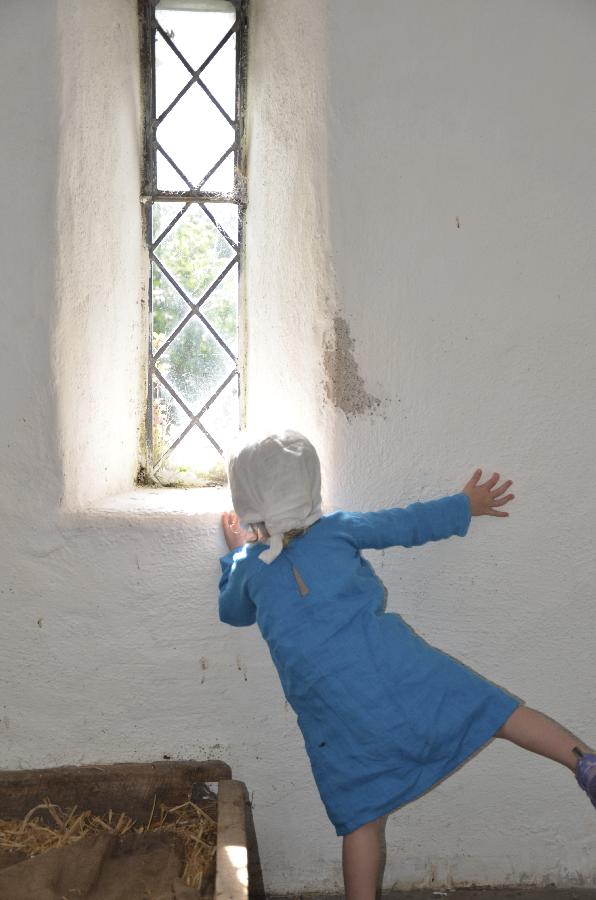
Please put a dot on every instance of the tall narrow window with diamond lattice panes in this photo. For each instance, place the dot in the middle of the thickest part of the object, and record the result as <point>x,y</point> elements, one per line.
<point>194,190</point>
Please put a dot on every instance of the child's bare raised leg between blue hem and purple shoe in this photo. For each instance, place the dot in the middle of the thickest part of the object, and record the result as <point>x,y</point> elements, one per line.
<point>534,731</point>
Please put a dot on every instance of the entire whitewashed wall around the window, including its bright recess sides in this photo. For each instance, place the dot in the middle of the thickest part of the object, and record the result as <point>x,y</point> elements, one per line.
<point>421,233</point>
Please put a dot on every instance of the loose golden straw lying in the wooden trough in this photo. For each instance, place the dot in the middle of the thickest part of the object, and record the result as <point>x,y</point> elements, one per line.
<point>47,827</point>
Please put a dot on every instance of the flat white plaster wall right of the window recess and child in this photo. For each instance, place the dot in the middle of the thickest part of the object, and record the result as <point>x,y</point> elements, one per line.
<point>461,172</point>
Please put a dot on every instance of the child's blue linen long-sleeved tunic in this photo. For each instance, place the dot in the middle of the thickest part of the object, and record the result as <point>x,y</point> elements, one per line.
<point>384,715</point>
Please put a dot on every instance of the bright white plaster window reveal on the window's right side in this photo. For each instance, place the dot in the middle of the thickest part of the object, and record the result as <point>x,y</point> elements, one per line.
<point>290,285</point>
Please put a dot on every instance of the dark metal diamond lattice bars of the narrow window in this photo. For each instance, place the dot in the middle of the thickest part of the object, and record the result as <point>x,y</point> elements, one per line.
<point>196,196</point>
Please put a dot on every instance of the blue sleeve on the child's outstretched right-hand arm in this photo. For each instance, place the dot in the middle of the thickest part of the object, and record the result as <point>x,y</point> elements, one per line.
<point>411,526</point>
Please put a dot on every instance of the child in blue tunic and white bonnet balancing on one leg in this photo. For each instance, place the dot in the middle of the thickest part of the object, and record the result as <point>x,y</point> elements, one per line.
<point>384,715</point>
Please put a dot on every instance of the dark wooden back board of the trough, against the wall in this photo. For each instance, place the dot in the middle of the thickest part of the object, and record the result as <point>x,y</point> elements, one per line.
<point>128,787</point>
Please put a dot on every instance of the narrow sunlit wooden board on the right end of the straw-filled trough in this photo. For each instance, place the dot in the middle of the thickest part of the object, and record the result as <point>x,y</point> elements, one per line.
<point>231,879</point>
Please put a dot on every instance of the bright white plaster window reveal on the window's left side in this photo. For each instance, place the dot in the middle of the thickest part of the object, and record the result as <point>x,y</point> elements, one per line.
<point>100,335</point>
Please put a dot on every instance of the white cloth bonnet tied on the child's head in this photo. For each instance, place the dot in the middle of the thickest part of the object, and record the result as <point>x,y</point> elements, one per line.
<point>276,480</point>
